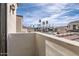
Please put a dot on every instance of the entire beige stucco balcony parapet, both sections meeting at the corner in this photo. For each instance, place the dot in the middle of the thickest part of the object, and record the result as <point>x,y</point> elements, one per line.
<point>40,44</point>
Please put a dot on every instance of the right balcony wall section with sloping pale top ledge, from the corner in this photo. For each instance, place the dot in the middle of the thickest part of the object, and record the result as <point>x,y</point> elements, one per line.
<point>50,45</point>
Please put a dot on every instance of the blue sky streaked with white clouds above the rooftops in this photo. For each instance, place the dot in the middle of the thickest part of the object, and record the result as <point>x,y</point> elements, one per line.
<point>57,14</point>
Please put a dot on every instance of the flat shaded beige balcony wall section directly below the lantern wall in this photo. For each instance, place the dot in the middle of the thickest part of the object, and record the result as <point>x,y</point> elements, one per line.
<point>21,44</point>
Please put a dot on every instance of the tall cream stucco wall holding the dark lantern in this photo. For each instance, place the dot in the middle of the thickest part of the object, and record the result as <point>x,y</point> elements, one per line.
<point>11,19</point>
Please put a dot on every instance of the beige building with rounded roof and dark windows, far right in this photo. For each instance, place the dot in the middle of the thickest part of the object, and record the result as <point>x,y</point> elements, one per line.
<point>72,26</point>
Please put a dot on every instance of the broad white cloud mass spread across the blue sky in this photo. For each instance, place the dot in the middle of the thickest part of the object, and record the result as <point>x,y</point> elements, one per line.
<point>55,9</point>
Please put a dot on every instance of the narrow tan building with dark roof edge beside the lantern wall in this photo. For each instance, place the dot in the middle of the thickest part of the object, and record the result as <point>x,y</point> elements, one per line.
<point>19,23</point>
